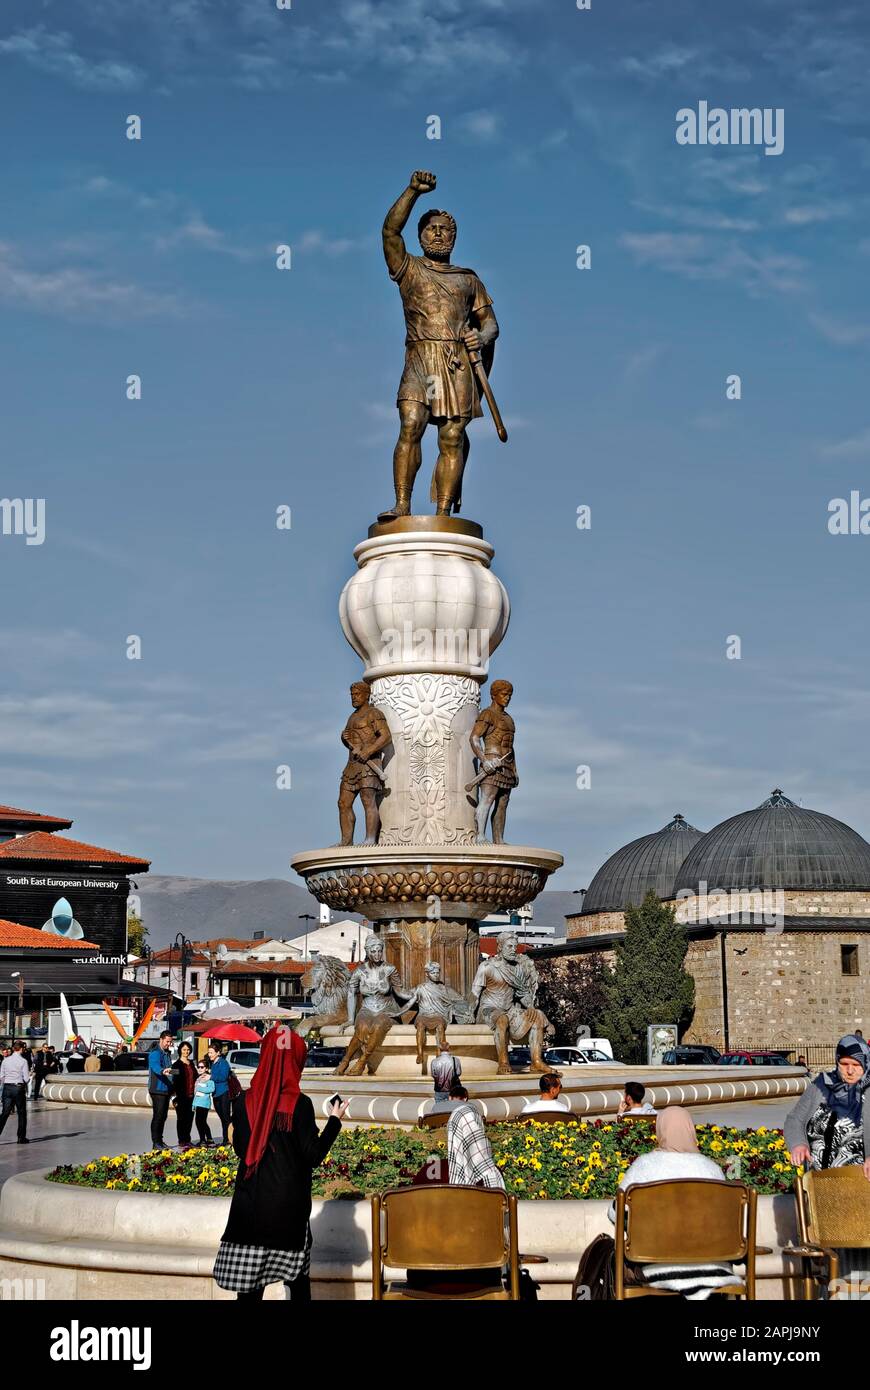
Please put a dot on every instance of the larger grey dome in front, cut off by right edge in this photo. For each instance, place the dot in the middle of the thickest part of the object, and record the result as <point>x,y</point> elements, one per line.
<point>779,846</point>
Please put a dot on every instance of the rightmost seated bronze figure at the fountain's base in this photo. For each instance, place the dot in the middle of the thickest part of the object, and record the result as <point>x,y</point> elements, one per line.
<point>505,990</point>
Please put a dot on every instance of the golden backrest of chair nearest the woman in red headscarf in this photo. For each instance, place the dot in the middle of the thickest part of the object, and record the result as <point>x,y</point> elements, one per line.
<point>444,1228</point>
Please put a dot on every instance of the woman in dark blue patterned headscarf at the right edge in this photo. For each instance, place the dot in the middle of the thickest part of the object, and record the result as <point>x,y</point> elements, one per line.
<point>830,1125</point>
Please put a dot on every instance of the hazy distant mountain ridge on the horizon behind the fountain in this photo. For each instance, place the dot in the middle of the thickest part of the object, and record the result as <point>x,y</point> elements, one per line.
<point>208,908</point>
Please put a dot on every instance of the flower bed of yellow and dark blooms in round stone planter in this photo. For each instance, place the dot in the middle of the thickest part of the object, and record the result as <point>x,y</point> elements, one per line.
<point>539,1161</point>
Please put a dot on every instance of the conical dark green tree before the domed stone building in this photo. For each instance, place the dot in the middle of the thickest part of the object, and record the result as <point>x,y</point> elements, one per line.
<point>648,983</point>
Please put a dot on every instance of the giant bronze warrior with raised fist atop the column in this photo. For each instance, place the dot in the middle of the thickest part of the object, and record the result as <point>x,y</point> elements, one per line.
<point>448,316</point>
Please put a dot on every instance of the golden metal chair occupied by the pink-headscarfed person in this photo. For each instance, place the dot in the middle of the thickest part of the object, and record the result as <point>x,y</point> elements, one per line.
<point>689,1221</point>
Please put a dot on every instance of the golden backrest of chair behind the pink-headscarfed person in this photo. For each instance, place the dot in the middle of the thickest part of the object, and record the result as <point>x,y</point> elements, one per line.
<point>689,1221</point>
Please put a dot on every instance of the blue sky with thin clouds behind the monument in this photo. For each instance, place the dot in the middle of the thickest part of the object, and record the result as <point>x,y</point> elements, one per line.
<point>261,389</point>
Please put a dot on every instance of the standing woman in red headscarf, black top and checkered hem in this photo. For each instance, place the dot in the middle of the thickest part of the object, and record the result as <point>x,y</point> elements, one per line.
<point>268,1236</point>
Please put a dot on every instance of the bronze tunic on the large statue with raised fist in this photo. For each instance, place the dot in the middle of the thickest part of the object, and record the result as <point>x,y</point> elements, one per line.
<point>438,306</point>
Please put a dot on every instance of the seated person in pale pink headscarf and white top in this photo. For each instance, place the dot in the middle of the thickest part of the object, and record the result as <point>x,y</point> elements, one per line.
<point>678,1156</point>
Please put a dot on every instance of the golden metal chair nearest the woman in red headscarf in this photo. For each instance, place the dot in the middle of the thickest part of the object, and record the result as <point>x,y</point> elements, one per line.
<point>445,1231</point>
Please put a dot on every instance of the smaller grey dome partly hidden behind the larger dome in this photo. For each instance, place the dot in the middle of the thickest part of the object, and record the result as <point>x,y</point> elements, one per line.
<point>650,862</point>
